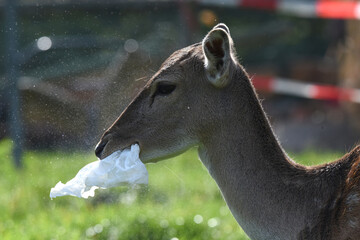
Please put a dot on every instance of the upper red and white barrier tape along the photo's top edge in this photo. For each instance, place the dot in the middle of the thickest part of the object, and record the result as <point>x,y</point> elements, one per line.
<point>322,8</point>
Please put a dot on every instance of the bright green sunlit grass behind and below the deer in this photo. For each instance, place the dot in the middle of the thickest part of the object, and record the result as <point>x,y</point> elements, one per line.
<point>181,201</point>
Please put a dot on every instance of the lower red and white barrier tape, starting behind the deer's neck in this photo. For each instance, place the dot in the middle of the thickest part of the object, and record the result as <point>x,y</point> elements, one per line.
<point>305,90</point>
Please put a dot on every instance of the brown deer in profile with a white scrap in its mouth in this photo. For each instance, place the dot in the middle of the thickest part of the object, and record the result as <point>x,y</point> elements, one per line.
<point>201,96</point>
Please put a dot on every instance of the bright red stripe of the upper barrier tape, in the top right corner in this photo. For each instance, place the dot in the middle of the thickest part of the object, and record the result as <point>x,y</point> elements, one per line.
<point>338,9</point>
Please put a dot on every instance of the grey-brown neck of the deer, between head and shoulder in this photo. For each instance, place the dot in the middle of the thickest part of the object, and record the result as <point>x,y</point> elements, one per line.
<point>267,193</point>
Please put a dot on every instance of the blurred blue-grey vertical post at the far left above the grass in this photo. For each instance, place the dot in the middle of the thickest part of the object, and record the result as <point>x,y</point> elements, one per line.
<point>12,76</point>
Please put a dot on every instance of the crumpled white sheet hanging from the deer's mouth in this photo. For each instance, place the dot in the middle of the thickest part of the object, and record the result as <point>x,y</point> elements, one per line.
<point>120,168</point>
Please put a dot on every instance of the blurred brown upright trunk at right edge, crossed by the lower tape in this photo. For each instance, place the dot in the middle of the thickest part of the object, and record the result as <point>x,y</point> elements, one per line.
<point>350,67</point>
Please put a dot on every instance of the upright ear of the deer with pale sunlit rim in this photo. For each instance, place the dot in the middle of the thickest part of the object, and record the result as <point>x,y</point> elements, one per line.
<point>217,47</point>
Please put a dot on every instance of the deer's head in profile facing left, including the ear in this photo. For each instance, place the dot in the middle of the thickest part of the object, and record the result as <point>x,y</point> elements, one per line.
<point>180,104</point>
